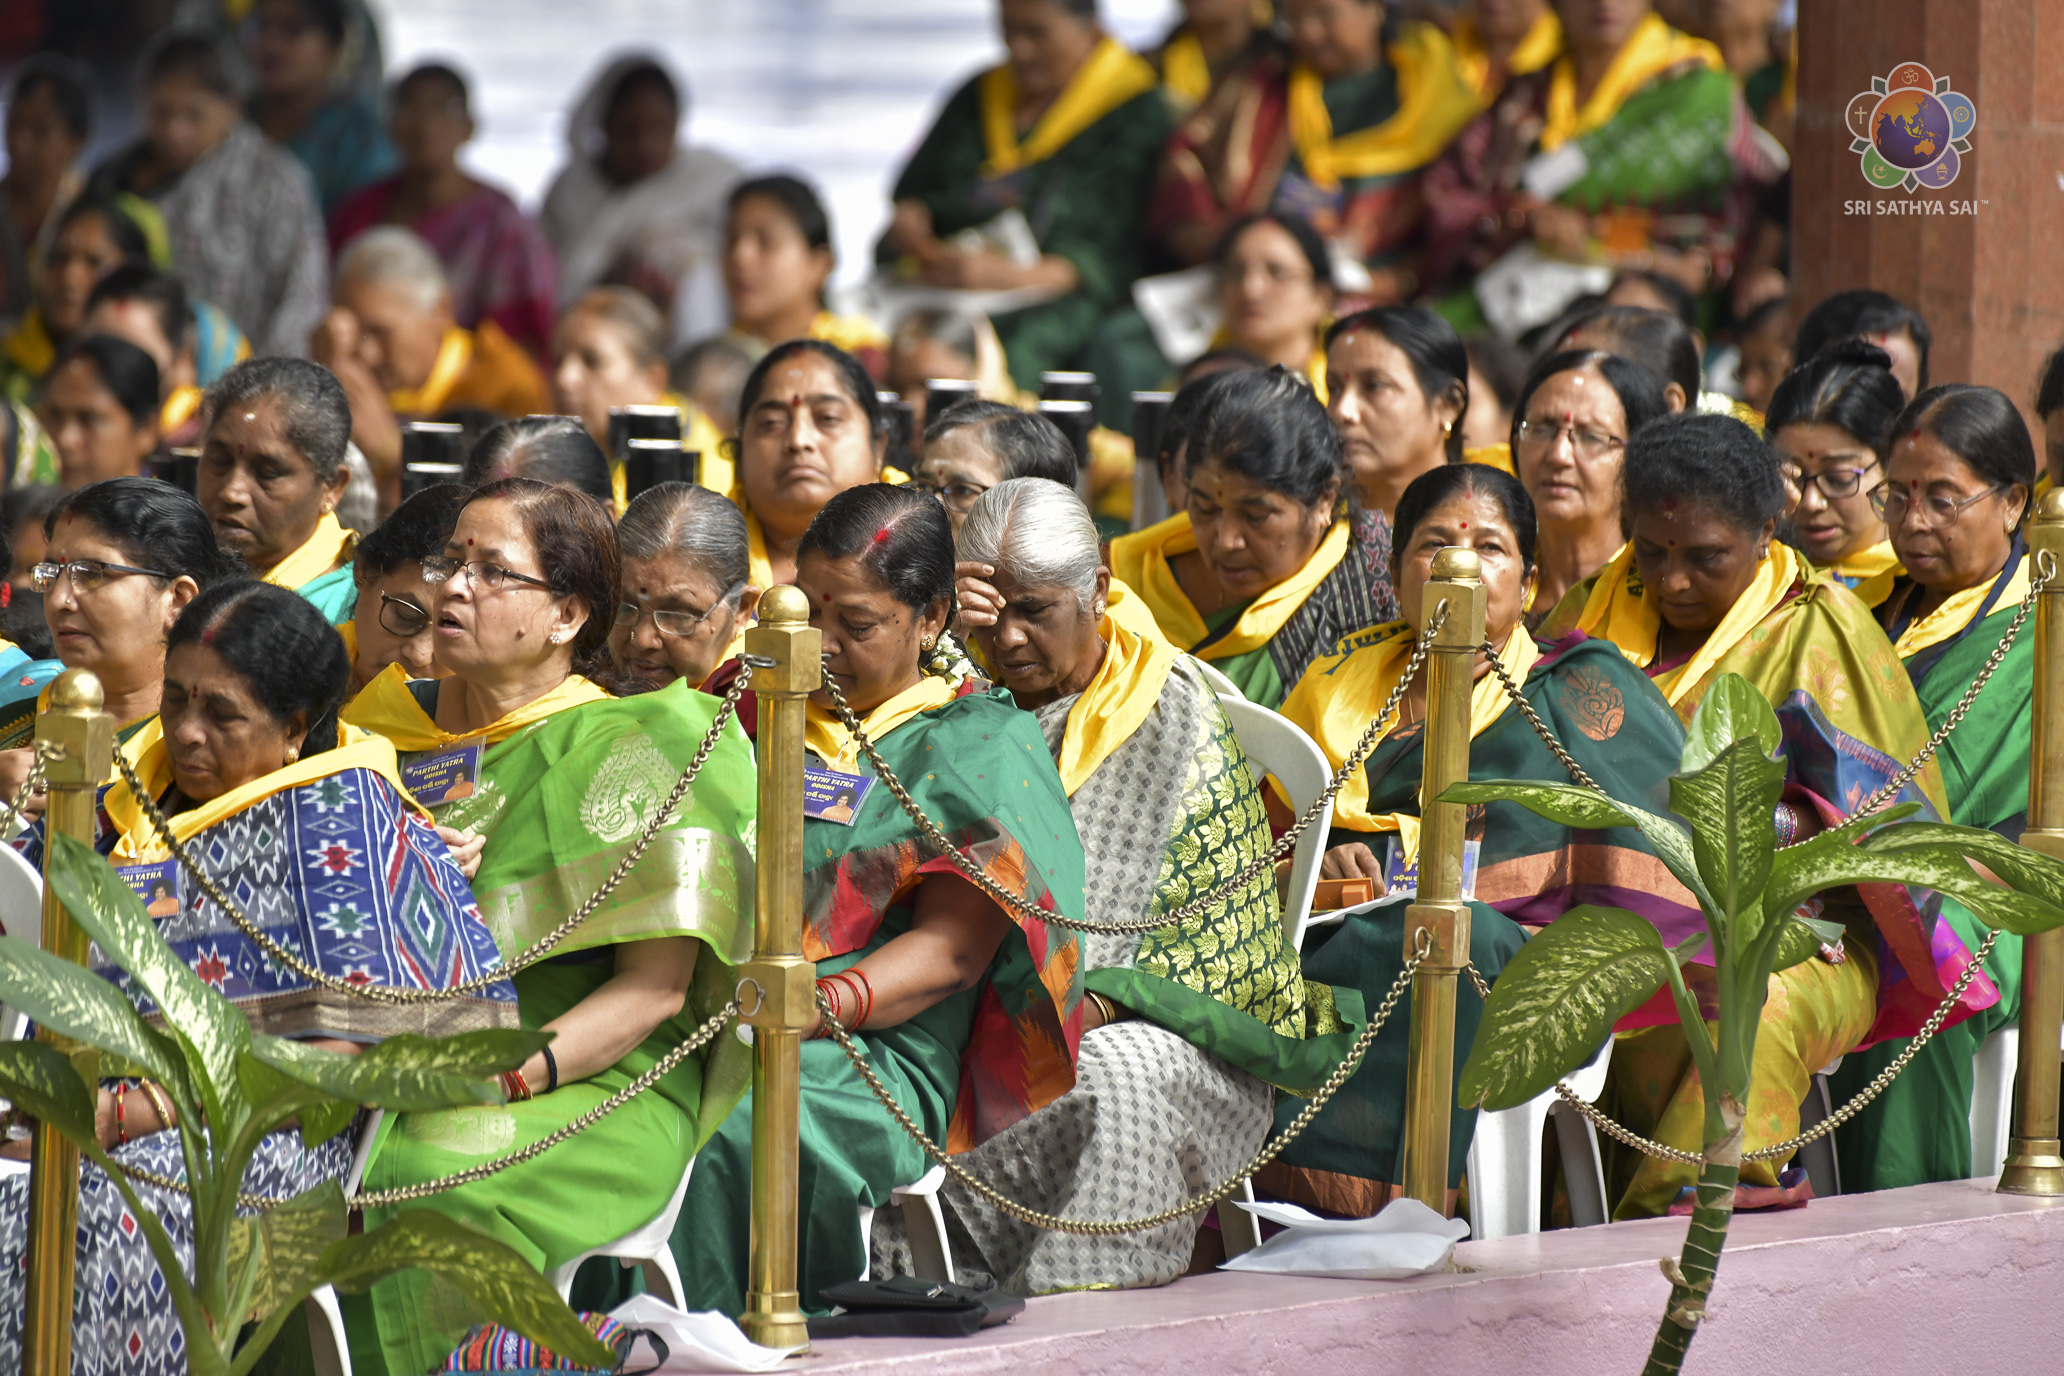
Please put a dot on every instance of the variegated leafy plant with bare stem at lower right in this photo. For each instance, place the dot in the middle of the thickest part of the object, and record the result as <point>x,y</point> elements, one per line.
<point>1570,985</point>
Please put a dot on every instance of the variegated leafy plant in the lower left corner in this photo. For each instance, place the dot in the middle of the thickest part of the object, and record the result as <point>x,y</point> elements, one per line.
<point>230,1088</point>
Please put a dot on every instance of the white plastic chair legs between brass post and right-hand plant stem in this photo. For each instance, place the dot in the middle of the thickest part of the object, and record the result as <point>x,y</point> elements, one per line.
<point>1506,1158</point>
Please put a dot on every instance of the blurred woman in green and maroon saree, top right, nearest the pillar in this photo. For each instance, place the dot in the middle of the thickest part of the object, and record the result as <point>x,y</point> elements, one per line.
<point>1663,166</point>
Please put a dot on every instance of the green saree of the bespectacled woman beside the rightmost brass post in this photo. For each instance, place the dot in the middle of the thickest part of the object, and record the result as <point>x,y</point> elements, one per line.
<point>1918,1129</point>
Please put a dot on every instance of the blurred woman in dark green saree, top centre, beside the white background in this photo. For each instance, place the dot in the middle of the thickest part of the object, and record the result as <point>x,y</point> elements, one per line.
<point>1062,139</point>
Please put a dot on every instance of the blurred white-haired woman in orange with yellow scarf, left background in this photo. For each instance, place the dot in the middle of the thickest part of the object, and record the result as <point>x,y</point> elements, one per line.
<point>393,341</point>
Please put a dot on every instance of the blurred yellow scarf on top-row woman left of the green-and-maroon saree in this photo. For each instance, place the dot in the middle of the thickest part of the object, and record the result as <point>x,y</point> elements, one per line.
<point>1433,104</point>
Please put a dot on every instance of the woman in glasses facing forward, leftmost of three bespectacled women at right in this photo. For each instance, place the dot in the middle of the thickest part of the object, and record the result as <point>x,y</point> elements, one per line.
<point>1572,428</point>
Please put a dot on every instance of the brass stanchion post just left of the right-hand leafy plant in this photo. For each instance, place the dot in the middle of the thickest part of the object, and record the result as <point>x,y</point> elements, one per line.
<point>1440,909</point>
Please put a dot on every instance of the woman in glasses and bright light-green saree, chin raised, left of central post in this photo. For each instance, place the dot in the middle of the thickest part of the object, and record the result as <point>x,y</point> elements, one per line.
<point>560,783</point>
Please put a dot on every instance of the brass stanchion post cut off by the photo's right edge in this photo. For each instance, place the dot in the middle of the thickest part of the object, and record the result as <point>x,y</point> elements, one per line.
<point>2034,1165</point>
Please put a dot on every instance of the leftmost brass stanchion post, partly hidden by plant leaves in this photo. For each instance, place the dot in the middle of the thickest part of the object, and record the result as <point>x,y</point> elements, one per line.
<point>82,742</point>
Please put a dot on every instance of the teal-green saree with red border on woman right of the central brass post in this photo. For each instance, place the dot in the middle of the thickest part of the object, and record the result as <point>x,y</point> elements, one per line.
<point>967,1068</point>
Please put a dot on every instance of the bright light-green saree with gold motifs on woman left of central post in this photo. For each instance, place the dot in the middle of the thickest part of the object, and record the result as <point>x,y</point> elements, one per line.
<point>562,801</point>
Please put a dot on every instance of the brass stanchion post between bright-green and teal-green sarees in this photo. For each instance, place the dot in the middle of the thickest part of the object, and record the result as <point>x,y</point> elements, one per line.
<point>783,1006</point>
